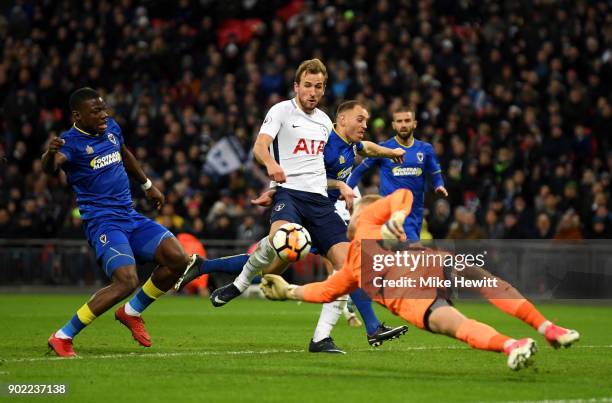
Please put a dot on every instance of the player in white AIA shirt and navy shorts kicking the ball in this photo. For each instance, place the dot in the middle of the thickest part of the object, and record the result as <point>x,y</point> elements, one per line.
<point>290,145</point>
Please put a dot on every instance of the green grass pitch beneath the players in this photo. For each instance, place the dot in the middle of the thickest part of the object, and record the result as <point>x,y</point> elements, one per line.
<point>255,350</point>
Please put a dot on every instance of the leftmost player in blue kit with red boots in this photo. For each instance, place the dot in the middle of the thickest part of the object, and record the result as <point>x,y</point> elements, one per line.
<point>100,166</point>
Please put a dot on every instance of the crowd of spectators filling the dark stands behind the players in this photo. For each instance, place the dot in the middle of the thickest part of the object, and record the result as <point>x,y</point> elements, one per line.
<point>519,110</point>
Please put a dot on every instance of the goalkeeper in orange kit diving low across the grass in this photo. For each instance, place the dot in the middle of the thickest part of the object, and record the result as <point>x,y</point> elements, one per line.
<point>383,218</point>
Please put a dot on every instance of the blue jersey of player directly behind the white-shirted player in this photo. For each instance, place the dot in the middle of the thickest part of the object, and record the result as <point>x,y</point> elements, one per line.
<point>339,157</point>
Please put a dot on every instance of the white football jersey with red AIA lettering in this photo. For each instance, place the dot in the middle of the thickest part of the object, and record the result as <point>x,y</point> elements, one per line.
<point>299,140</point>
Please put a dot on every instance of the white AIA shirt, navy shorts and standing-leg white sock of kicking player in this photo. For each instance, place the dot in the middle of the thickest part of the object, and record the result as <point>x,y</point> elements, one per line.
<point>299,142</point>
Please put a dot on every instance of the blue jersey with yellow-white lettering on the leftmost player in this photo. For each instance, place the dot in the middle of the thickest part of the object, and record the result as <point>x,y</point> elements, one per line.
<point>95,171</point>
